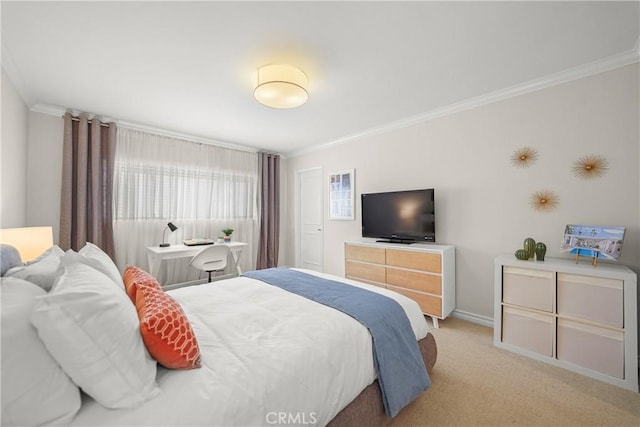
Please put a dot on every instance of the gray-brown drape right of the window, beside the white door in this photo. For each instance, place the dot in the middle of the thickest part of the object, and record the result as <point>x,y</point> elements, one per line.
<point>268,243</point>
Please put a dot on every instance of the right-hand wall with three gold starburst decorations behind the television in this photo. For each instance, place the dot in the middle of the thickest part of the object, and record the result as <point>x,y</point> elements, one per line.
<point>481,199</point>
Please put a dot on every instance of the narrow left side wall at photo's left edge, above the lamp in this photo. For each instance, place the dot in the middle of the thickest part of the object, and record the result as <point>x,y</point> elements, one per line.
<point>13,154</point>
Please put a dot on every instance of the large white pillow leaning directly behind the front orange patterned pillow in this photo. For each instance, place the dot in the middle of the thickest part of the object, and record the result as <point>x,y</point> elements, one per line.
<point>92,330</point>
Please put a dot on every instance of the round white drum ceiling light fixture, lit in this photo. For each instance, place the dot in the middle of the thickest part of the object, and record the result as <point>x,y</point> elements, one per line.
<point>281,86</point>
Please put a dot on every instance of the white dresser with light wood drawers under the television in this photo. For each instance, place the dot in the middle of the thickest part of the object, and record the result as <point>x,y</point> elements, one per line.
<point>423,272</point>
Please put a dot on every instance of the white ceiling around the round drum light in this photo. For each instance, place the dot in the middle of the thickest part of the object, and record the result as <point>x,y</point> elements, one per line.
<point>187,67</point>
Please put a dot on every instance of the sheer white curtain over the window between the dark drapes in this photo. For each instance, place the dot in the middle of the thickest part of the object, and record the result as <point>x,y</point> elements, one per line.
<point>200,188</point>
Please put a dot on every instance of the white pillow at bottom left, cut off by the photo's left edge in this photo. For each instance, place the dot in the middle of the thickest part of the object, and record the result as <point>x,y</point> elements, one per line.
<point>35,390</point>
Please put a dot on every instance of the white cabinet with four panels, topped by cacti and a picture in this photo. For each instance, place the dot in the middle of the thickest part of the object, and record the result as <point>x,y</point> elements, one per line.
<point>577,316</point>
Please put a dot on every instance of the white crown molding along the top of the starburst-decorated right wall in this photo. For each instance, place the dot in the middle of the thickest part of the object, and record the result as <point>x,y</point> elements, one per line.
<point>611,63</point>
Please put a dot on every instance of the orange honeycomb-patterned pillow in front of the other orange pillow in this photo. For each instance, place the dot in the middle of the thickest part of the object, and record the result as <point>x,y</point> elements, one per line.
<point>165,329</point>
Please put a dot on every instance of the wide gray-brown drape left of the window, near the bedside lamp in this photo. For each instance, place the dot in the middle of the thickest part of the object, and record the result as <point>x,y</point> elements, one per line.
<point>87,184</point>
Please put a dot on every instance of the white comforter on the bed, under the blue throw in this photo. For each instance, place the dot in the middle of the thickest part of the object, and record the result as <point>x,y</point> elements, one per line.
<point>268,357</point>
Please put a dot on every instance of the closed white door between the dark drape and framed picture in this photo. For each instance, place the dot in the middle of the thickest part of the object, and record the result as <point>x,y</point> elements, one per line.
<point>310,209</point>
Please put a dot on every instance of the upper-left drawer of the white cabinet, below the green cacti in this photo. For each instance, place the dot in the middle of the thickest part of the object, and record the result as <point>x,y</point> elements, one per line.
<point>528,288</point>
